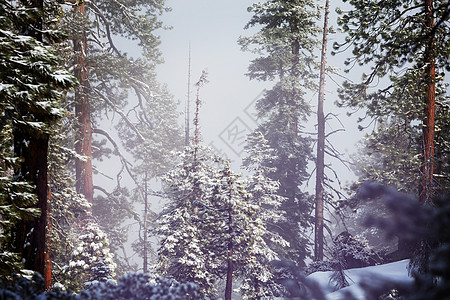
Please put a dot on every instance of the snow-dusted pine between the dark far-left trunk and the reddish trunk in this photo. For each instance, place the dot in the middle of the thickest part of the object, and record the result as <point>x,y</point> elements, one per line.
<point>80,252</point>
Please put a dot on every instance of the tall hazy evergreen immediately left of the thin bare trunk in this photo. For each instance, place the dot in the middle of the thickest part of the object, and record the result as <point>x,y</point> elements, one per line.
<point>286,43</point>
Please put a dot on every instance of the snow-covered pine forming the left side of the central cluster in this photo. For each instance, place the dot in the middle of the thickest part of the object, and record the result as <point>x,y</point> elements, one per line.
<point>182,253</point>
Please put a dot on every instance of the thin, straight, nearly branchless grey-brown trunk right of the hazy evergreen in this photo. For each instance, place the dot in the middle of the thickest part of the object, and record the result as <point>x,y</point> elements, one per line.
<point>320,164</point>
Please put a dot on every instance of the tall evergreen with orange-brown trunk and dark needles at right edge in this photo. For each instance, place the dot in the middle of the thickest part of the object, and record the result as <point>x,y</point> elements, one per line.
<point>407,51</point>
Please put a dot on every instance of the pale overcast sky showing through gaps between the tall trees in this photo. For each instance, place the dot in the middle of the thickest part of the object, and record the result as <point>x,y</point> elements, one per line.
<point>212,28</point>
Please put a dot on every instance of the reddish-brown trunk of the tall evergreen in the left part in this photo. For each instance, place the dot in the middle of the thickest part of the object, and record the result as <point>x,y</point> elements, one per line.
<point>83,146</point>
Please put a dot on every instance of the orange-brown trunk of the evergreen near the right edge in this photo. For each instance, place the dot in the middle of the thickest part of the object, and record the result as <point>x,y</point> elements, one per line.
<point>426,192</point>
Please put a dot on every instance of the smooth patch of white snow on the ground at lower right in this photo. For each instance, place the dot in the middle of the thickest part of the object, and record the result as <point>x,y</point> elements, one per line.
<point>394,272</point>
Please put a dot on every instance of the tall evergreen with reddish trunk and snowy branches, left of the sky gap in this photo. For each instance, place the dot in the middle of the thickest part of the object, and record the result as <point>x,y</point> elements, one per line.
<point>107,74</point>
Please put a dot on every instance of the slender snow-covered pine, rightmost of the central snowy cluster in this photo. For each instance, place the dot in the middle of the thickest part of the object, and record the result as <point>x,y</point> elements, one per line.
<point>260,278</point>
